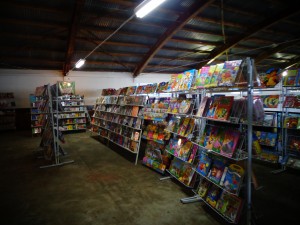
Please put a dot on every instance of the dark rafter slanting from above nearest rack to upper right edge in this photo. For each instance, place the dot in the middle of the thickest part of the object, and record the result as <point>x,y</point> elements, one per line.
<point>264,24</point>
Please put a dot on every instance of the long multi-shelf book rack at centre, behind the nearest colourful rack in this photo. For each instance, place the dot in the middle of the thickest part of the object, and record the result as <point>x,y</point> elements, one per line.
<point>116,120</point>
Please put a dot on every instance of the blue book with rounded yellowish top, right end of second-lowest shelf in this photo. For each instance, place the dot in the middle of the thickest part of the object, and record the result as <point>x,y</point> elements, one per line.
<point>232,178</point>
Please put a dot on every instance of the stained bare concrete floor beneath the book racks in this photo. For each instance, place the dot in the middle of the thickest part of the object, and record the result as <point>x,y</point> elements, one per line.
<point>104,186</point>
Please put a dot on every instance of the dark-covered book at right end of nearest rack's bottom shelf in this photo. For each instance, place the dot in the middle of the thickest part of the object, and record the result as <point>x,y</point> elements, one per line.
<point>230,206</point>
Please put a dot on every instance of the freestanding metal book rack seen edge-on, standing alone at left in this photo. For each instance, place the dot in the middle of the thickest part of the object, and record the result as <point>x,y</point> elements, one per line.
<point>52,138</point>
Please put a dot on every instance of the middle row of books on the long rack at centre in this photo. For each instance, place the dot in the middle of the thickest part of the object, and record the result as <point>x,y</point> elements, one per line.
<point>133,122</point>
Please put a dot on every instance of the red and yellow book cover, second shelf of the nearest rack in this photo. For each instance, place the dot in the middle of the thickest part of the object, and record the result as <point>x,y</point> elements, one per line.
<point>223,108</point>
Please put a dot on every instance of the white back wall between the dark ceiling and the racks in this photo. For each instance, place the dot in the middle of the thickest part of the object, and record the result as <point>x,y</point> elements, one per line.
<point>23,82</point>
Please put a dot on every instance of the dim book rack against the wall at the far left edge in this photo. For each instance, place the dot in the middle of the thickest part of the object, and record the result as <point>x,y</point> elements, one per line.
<point>7,111</point>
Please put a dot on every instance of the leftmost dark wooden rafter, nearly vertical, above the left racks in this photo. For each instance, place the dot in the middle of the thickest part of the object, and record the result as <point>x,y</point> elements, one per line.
<point>72,35</point>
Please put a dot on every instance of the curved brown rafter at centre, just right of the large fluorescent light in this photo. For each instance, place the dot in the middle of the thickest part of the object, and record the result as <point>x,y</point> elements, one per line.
<point>195,9</point>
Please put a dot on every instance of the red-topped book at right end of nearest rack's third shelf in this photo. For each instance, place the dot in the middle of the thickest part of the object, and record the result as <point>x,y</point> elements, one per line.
<point>230,142</point>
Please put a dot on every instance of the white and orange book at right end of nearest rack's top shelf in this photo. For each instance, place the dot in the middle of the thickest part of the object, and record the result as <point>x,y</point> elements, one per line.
<point>229,73</point>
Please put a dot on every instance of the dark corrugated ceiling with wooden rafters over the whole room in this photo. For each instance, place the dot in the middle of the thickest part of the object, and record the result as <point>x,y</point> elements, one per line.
<point>179,35</point>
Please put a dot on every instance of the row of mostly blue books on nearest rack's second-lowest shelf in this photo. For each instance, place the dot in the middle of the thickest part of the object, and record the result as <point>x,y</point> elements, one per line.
<point>218,170</point>
